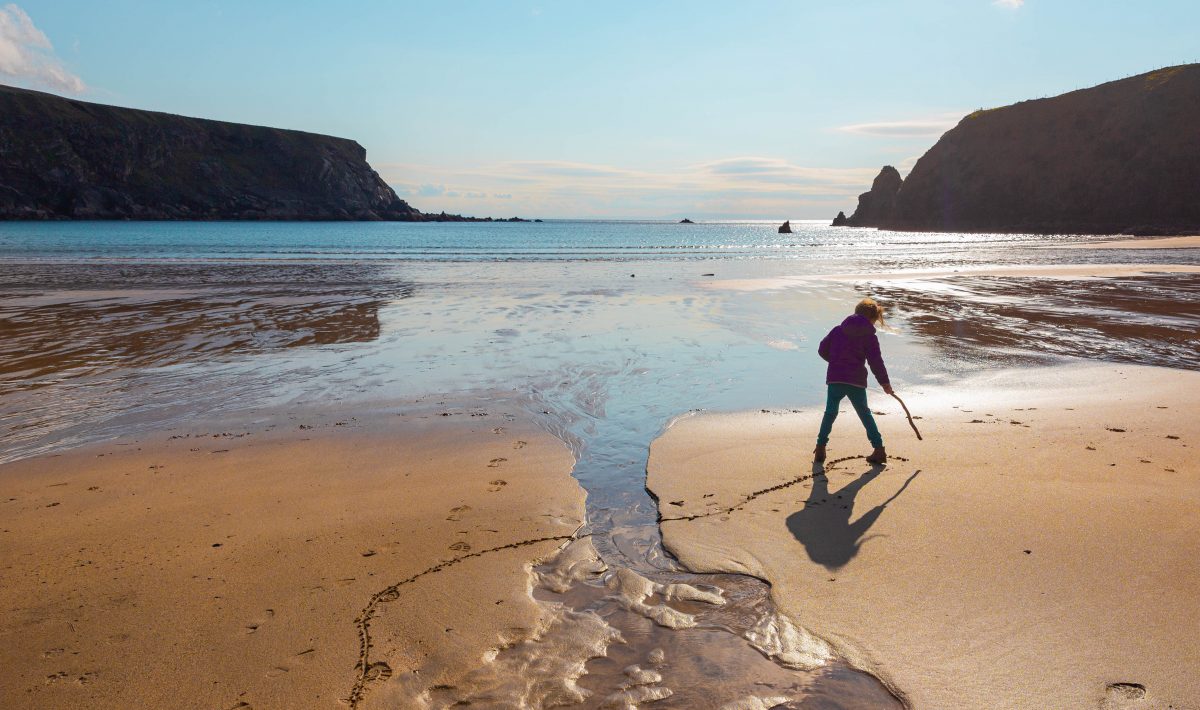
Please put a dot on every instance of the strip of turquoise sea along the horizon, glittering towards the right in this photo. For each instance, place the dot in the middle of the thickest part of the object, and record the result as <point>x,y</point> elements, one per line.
<point>554,240</point>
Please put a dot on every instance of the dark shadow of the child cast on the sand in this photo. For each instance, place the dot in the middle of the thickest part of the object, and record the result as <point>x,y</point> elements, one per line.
<point>824,525</point>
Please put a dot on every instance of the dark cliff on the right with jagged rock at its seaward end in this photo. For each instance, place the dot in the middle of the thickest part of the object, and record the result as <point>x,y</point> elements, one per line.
<point>1120,158</point>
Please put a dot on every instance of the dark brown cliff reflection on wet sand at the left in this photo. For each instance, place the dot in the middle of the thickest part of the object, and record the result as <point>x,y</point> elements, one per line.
<point>77,321</point>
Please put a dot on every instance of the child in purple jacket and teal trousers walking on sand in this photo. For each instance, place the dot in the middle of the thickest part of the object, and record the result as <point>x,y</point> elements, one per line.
<point>847,348</point>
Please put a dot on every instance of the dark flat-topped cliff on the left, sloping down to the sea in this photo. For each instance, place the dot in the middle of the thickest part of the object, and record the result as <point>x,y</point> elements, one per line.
<point>73,160</point>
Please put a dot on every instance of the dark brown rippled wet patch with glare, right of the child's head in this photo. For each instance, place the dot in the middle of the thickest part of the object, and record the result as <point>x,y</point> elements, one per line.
<point>1148,321</point>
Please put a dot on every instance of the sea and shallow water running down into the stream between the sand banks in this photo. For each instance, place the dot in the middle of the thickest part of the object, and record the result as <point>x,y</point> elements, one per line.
<point>602,332</point>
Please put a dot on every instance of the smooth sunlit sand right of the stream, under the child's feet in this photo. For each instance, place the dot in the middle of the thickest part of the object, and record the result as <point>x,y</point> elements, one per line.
<point>1037,550</point>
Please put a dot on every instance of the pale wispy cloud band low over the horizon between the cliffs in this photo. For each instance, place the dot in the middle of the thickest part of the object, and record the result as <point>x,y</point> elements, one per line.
<point>734,188</point>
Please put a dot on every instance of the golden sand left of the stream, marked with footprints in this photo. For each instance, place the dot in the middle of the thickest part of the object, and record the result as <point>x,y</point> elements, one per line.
<point>275,568</point>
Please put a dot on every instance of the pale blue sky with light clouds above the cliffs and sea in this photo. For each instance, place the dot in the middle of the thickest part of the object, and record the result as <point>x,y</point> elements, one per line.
<point>662,110</point>
